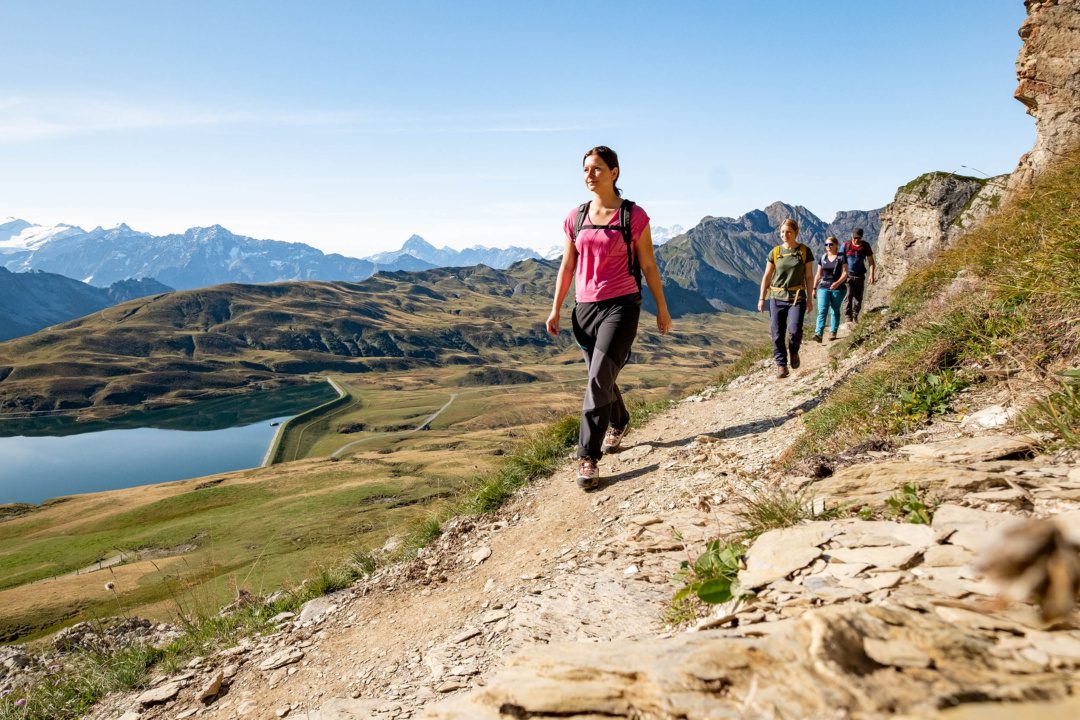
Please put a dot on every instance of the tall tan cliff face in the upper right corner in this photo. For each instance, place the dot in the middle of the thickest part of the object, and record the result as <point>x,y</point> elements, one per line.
<point>1049,74</point>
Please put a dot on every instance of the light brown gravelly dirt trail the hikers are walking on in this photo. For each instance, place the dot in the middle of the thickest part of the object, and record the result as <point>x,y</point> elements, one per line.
<point>555,564</point>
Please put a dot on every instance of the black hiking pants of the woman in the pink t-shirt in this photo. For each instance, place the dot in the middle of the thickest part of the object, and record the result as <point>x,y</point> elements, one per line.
<point>604,331</point>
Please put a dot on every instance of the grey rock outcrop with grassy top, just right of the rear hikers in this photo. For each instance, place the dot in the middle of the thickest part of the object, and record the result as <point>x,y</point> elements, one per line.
<point>927,216</point>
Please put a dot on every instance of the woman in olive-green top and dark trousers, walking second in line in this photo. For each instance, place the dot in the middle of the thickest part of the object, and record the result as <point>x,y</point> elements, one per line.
<point>788,286</point>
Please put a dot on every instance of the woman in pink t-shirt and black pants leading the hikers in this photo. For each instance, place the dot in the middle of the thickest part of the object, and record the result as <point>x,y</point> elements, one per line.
<point>609,250</point>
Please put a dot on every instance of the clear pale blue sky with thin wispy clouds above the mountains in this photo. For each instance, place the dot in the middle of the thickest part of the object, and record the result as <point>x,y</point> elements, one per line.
<point>352,126</point>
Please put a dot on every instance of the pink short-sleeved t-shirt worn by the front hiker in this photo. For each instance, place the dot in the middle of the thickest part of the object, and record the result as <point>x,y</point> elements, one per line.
<point>603,267</point>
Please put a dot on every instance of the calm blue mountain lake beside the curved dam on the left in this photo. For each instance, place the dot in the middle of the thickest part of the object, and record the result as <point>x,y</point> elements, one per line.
<point>48,458</point>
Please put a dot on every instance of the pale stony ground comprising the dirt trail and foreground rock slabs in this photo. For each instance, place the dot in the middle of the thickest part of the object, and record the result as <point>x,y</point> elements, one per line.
<point>556,607</point>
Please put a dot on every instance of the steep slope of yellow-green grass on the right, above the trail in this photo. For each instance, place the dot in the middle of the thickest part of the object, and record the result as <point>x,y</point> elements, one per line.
<point>1008,294</point>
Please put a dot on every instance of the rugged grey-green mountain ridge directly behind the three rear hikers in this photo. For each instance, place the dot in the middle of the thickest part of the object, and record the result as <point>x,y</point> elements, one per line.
<point>722,260</point>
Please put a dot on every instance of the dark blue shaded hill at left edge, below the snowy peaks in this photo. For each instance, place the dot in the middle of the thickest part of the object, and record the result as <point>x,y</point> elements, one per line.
<point>33,301</point>
